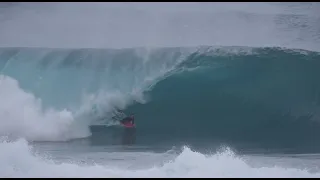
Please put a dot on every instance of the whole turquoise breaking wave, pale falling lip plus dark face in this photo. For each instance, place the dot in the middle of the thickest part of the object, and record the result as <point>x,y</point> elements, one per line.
<point>233,93</point>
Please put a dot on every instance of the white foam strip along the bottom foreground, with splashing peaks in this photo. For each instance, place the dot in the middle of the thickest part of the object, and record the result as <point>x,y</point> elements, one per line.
<point>18,160</point>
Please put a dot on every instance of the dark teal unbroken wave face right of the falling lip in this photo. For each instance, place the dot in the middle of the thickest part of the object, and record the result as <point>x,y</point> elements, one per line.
<point>270,95</point>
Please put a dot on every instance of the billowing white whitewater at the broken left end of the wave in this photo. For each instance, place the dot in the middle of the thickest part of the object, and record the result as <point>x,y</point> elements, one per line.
<point>22,115</point>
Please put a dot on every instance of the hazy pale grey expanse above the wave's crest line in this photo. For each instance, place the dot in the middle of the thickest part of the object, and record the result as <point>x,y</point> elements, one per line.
<point>118,25</point>
